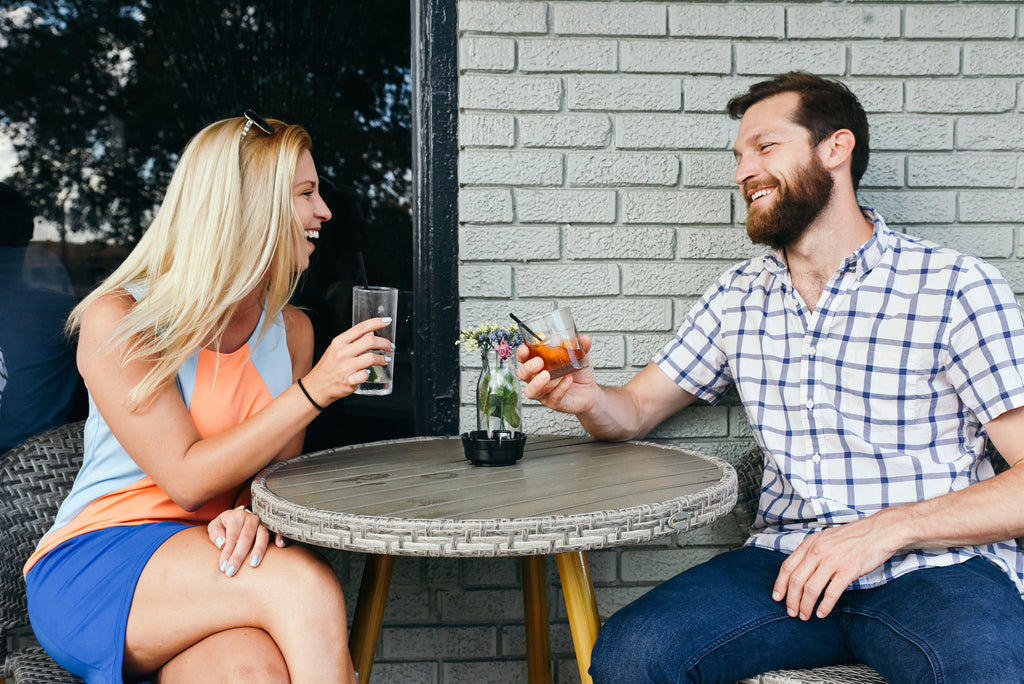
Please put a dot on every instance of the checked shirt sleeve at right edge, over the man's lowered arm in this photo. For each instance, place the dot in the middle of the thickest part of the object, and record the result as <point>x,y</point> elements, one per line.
<point>987,343</point>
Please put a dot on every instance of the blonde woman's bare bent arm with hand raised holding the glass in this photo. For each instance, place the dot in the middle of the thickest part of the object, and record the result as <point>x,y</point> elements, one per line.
<point>163,440</point>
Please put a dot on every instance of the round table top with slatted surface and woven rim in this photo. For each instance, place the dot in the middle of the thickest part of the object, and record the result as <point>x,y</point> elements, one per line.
<point>421,497</point>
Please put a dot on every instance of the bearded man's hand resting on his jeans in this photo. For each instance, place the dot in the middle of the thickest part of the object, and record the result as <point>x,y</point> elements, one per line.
<point>828,563</point>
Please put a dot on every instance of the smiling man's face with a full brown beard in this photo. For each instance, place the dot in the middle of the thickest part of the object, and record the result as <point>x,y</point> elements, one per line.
<point>784,182</point>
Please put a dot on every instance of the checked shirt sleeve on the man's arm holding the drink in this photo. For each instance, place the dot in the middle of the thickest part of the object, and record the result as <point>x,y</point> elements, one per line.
<point>696,359</point>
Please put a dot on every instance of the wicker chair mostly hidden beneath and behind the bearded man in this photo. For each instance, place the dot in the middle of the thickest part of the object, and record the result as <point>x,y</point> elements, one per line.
<point>749,473</point>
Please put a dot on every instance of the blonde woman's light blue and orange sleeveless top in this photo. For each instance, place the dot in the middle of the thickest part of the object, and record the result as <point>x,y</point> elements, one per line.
<point>221,391</point>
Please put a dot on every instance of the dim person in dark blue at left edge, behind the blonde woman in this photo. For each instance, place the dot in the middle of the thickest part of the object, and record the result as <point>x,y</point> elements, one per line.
<point>35,300</point>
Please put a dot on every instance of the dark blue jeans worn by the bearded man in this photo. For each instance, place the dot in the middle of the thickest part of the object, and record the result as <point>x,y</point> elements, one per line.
<point>717,623</point>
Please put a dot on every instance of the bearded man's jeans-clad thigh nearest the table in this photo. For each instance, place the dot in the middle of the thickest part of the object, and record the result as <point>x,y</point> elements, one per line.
<point>714,623</point>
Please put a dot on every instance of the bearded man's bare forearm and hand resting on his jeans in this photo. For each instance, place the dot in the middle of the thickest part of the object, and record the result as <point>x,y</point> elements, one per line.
<point>828,563</point>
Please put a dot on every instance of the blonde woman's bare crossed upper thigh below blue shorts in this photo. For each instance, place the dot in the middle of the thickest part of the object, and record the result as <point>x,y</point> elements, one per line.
<point>183,597</point>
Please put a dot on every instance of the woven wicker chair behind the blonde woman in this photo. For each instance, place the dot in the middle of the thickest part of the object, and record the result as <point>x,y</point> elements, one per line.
<point>34,480</point>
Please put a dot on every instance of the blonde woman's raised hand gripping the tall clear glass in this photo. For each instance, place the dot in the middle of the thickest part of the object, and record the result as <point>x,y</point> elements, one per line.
<point>345,365</point>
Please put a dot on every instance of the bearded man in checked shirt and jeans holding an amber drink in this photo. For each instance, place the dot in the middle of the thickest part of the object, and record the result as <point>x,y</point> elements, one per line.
<point>868,363</point>
